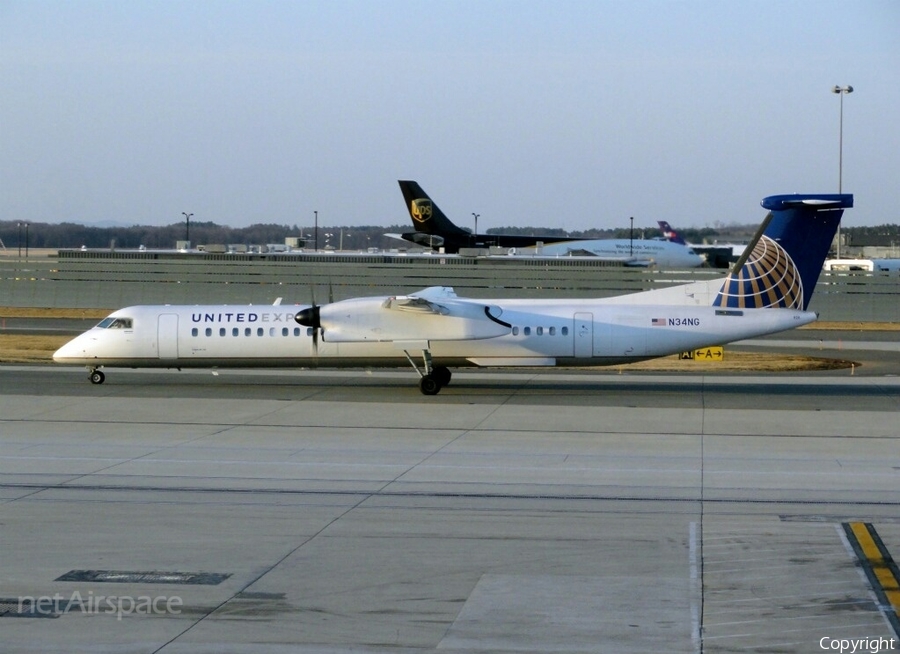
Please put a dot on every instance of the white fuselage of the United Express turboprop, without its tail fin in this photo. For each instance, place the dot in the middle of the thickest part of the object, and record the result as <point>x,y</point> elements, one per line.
<point>526,333</point>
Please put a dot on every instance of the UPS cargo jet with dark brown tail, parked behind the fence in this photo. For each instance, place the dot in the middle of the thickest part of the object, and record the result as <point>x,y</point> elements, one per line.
<point>435,230</point>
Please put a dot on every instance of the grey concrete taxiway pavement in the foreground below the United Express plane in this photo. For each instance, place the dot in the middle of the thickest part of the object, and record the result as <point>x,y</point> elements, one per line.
<point>323,511</point>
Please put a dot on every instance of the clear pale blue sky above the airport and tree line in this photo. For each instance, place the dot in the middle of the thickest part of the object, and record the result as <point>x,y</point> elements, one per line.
<point>560,113</point>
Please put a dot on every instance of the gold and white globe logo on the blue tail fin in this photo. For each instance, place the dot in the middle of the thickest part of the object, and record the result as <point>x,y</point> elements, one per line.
<point>769,278</point>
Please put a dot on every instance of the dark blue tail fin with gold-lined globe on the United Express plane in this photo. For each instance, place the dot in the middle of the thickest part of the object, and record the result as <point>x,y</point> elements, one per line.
<point>781,265</point>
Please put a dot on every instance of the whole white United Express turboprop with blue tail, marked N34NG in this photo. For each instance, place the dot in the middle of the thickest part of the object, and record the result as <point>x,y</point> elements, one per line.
<point>435,330</point>
